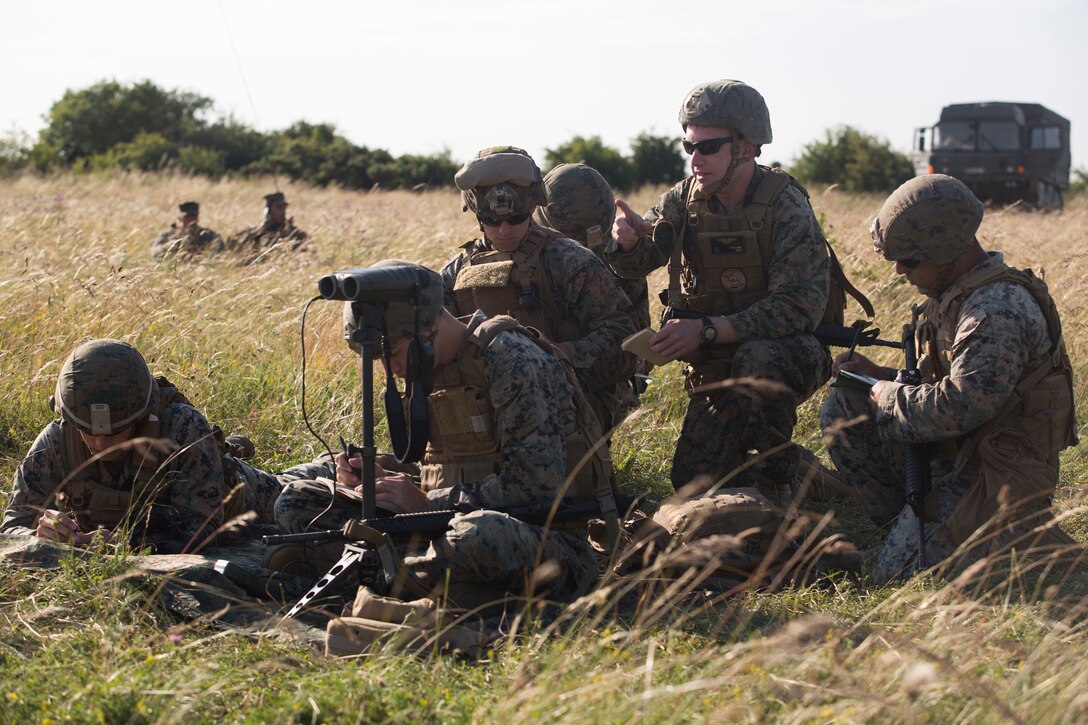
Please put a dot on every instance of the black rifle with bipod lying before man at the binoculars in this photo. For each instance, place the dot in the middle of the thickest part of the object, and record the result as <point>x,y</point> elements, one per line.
<point>369,554</point>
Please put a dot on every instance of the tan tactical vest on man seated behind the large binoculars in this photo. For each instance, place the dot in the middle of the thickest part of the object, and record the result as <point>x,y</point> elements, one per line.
<point>464,444</point>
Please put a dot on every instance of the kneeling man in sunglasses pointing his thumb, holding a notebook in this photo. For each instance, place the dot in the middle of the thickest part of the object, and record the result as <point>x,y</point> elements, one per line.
<point>750,279</point>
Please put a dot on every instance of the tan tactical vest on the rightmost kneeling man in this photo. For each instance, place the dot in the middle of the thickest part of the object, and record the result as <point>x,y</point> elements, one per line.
<point>1042,405</point>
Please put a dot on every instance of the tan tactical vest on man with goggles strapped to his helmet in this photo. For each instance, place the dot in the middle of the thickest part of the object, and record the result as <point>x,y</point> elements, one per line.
<point>514,284</point>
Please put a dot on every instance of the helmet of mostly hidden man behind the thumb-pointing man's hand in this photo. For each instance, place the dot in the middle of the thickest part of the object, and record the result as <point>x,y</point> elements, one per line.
<point>580,204</point>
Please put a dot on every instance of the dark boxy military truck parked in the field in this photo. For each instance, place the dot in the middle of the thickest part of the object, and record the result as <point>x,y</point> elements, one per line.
<point>1005,152</point>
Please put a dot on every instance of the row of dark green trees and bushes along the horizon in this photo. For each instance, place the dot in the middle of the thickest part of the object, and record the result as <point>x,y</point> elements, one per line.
<point>142,127</point>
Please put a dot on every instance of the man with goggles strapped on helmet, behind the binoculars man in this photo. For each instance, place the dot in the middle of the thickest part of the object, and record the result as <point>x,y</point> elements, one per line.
<point>541,278</point>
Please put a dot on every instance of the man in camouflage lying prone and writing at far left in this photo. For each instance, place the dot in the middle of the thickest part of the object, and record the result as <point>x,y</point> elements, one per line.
<point>171,496</point>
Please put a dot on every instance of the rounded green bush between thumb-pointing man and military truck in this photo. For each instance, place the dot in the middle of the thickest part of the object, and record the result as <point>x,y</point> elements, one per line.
<point>855,161</point>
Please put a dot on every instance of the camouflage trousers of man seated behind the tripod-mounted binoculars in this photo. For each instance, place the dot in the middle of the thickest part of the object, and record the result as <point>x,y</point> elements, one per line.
<point>483,548</point>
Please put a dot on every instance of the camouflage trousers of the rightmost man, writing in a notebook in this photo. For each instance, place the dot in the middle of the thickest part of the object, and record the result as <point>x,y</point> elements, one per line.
<point>873,465</point>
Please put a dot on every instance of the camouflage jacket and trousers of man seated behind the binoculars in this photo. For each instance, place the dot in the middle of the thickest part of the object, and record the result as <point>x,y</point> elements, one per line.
<point>531,399</point>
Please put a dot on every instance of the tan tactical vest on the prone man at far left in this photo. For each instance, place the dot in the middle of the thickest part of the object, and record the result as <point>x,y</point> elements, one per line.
<point>96,505</point>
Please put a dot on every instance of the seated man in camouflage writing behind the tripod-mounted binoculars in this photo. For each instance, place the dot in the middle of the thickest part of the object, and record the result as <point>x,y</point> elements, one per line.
<point>502,427</point>
